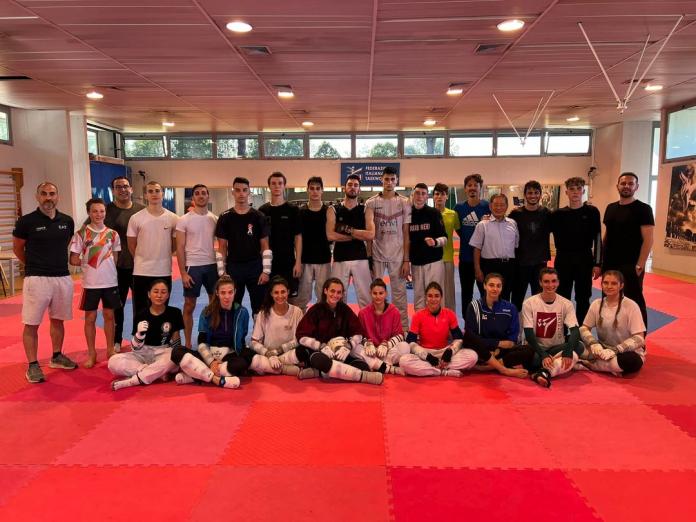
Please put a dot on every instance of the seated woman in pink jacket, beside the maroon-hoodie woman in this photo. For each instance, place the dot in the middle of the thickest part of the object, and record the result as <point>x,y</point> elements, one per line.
<point>383,344</point>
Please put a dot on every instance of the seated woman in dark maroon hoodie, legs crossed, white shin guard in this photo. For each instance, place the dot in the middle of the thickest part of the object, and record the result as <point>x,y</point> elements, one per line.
<point>327,335</point>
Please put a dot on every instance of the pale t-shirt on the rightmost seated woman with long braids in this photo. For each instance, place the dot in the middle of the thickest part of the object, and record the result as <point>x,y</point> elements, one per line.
<point>630,321</point>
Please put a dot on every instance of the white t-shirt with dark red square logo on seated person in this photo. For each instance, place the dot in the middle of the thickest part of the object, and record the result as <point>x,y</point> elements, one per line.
<point>547,320</point>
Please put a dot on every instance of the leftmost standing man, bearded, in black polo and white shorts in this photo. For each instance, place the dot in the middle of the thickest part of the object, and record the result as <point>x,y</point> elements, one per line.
<point>40,241</point>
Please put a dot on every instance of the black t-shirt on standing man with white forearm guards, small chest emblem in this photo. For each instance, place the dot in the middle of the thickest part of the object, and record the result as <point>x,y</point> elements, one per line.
<point>243,233</point>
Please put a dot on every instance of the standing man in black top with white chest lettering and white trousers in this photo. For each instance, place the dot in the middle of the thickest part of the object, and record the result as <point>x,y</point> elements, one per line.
<point>428,237</point>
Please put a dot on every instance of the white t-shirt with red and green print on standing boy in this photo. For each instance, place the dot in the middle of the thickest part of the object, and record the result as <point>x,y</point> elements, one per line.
<point>96,247</point>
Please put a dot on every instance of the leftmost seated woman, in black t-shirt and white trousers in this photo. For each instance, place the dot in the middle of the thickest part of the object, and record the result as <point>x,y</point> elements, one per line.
<point>156,333</point>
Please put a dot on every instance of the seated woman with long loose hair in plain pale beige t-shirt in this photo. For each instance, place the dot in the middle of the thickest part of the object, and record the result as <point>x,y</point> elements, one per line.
<point>273,338</point>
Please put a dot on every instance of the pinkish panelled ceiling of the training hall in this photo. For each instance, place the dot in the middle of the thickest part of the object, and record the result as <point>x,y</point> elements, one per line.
<point>363,65</point>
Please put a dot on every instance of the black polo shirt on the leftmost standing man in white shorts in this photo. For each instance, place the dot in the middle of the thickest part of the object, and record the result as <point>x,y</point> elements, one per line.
<point>47,240</point>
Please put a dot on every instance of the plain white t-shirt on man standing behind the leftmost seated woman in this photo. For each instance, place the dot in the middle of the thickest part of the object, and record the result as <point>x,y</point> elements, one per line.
<point>153,255</point>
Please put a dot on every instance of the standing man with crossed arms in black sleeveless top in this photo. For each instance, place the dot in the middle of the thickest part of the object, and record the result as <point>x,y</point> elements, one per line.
<point>350,224</point>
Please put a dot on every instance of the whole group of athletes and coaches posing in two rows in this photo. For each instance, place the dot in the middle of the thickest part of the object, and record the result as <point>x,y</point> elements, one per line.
<point>281,253</point>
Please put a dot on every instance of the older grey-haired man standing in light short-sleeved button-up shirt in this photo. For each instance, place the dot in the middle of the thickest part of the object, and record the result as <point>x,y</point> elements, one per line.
<point>494,241</point>
